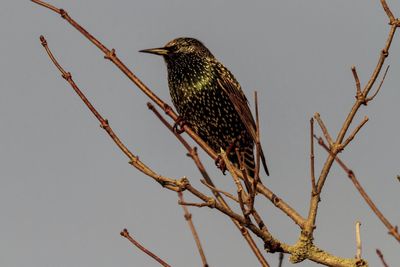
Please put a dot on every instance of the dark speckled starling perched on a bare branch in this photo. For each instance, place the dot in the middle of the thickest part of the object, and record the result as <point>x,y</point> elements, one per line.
<point>208,98</point>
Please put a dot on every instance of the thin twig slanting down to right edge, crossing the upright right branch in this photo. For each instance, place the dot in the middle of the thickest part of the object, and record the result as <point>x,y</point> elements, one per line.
<point>393,230</point>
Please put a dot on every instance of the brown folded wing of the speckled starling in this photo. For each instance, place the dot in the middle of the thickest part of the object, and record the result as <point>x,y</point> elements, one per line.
<point>232,88</point>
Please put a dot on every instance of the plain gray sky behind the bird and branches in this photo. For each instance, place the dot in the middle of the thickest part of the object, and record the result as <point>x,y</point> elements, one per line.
<point>66,191</point>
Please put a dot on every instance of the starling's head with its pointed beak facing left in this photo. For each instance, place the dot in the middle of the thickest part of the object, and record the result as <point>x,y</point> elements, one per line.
<point>180,47</point>
